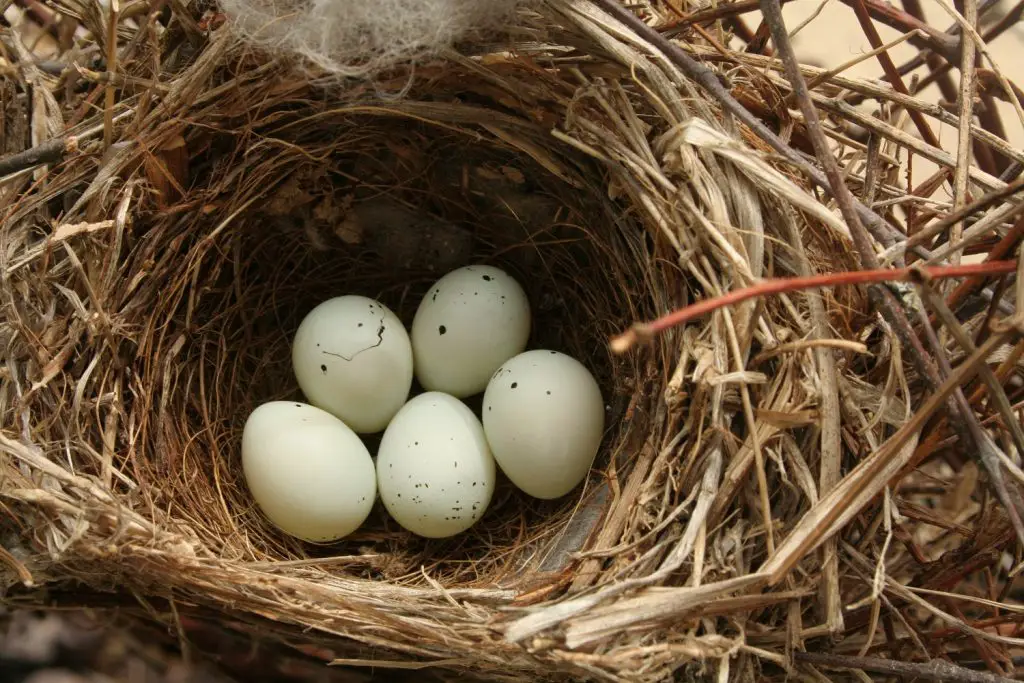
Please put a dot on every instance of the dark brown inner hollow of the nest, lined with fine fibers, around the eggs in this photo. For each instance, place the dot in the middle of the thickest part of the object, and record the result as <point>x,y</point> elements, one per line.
<point>381,205</point>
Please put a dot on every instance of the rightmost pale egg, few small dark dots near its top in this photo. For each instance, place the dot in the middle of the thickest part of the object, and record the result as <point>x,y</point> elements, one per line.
<point>544,420</point>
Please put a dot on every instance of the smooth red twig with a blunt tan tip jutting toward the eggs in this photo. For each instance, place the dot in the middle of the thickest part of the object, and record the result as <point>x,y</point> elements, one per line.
<point>647,331</point>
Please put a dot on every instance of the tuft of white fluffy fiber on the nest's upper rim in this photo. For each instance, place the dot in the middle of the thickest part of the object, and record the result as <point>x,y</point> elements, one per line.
<point>358,38</point>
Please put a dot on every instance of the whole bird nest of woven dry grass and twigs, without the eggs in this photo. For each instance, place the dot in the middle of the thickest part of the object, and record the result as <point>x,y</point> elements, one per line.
<point>783,485</point>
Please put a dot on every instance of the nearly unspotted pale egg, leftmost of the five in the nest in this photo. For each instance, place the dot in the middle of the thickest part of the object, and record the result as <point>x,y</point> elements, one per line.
<point>308,472</point>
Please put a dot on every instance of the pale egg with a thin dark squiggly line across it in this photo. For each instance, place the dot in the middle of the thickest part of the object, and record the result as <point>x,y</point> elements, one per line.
<point>354,359</point>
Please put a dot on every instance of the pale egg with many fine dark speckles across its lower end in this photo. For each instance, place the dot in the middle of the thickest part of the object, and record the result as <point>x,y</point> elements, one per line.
<point>436,474</point>
